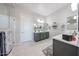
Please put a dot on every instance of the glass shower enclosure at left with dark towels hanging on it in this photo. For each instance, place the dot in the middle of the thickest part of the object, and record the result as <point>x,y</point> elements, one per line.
<point>6,29</point>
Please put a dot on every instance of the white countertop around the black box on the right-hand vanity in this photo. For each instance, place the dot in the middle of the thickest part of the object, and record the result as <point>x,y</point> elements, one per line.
<point>59,37</point>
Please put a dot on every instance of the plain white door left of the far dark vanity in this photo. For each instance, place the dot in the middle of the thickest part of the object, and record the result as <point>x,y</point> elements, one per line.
<point>26,28</point>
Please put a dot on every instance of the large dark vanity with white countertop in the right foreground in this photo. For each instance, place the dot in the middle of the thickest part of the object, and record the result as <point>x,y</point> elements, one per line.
<point>63,47</point>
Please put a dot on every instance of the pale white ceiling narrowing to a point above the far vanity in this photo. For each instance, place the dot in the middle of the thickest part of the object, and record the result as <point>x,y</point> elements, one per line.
<point>43,9</point>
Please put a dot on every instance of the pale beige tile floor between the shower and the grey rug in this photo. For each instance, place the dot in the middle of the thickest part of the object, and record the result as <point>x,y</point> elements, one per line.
<point>31,48</point>
